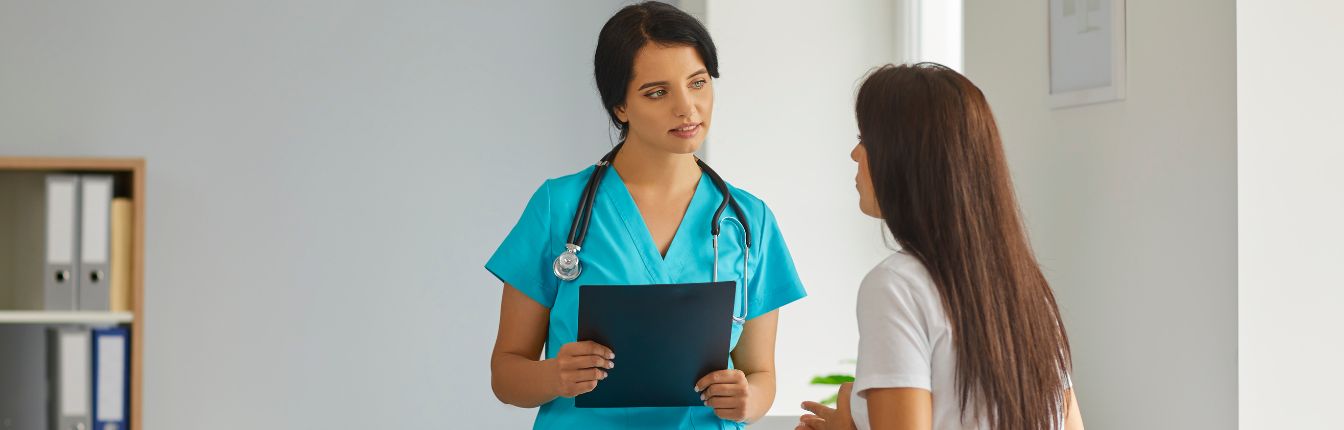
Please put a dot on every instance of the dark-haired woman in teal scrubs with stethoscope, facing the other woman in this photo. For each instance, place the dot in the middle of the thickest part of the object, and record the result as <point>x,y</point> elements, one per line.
<point>651,220</point>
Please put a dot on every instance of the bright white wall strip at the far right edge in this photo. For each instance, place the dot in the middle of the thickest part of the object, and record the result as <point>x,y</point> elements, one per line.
<point>1291,206</point>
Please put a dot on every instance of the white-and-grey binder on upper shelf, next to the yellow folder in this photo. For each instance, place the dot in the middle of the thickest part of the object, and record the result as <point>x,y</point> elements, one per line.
<point>95,243</point>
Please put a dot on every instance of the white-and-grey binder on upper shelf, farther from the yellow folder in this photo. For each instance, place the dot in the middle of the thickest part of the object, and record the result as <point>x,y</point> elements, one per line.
<point>62,267</point>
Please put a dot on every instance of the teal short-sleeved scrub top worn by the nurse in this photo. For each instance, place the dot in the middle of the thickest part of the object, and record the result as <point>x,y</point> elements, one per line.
<point>619,251</point>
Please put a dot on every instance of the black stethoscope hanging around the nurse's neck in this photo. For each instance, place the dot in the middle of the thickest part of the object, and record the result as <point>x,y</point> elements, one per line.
<point>568,265</point>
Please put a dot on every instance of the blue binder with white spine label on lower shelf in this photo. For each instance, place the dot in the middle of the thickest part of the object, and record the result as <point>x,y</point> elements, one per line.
<point>111,378</point>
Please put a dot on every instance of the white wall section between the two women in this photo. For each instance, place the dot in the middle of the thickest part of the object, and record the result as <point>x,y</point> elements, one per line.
<point>783,130</point>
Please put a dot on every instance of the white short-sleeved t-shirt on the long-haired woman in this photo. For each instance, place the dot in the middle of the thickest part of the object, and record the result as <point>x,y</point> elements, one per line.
<point>905,341</point>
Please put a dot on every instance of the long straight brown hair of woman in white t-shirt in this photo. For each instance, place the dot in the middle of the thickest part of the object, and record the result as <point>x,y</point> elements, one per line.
<point>943,186</point>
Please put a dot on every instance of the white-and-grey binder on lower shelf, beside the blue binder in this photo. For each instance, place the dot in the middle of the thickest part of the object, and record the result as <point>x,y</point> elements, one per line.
<point>69,377</point>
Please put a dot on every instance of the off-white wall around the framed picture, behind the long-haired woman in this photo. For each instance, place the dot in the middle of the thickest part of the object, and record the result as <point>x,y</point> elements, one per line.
<point>1132,205</point>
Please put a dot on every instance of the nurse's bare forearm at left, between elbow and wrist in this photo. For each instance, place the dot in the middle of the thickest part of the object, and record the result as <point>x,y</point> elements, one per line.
<point>521,381</point>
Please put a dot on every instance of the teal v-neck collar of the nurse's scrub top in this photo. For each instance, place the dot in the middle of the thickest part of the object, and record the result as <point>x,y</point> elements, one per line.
<point>662,268</point>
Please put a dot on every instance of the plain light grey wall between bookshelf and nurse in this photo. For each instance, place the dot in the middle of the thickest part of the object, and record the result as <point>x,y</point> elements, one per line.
<point>326,182</point>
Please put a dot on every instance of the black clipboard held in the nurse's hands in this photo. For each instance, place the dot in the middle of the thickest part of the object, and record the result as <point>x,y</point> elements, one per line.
<point>666,338</point>
